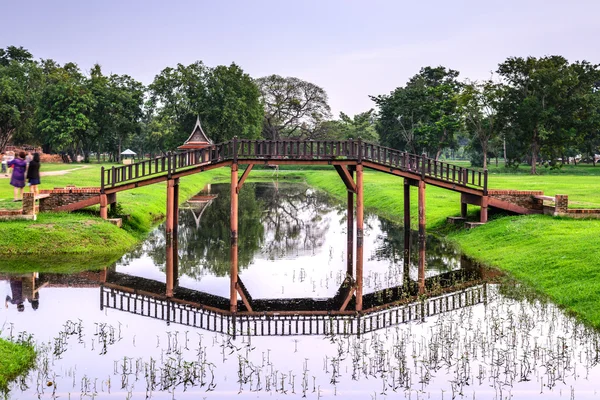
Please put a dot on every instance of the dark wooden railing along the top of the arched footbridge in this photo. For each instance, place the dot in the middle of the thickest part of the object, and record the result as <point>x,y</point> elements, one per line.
<point>294,150</point>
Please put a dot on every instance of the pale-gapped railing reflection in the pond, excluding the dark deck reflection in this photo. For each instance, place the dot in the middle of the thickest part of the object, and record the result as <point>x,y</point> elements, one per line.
<point>172,310</point>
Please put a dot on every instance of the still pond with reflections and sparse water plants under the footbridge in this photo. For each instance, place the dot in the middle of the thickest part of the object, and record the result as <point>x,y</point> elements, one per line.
<point>112,333</point>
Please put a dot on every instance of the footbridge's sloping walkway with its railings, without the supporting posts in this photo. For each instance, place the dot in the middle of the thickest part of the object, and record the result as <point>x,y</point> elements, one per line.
<point>290,152</point>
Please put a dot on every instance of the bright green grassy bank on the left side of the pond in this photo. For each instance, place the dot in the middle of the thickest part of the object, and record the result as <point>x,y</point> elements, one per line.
<point>84,232</point>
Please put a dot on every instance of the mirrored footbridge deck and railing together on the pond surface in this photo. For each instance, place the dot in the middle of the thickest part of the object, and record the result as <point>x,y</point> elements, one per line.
<point>281,317</point>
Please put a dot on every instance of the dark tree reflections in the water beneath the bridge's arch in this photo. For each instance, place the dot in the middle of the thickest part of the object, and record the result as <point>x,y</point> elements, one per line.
<point>275,221</point>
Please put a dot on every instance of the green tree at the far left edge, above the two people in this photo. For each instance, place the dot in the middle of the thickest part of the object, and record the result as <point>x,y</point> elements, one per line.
<point>20,80</point>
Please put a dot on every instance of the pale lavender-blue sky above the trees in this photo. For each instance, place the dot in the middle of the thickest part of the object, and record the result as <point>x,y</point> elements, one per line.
<point>352,49</point>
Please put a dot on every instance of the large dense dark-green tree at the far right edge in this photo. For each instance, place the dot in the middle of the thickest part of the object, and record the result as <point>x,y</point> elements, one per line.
<point>546,99</point>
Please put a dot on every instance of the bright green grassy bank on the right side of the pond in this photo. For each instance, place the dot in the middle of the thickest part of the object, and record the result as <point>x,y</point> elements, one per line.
<point>558,257</point>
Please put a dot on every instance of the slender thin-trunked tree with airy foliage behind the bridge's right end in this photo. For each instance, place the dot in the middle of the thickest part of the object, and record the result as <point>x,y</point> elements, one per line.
<point>479,103</point>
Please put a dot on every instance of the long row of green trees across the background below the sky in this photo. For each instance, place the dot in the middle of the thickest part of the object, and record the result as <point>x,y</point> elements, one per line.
<point>535,110</point>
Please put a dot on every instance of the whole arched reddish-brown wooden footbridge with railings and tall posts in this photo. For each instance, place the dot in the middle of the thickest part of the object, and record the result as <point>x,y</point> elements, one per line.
<point>348,157</point>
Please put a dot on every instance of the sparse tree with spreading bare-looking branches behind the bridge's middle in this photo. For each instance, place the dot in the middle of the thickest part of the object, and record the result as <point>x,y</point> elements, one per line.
<point>293,108</point>
